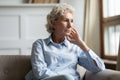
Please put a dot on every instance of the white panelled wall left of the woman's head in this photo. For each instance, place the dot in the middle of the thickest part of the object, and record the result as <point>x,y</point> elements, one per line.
<point>20,25</point>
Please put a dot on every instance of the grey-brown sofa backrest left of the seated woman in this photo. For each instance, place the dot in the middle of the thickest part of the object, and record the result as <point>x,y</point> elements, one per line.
<point>14,67</point>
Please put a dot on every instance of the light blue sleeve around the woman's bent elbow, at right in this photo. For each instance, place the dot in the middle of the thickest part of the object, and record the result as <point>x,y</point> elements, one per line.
<point>86,59</point>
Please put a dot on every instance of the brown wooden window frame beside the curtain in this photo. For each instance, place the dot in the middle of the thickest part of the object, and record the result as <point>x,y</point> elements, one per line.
<point>106,22</point>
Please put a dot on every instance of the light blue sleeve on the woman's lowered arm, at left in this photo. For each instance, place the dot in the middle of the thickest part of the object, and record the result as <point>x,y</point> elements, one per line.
<point>39,66</point>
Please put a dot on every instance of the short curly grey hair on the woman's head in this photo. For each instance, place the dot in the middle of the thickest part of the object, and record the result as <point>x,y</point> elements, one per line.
<point>57,11</point>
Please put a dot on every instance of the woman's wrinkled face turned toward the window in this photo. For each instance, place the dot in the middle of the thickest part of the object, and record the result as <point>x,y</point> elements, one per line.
<point>63,24</point>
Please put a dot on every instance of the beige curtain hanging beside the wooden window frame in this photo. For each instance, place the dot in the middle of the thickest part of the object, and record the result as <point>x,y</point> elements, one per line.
<point>92,29</point>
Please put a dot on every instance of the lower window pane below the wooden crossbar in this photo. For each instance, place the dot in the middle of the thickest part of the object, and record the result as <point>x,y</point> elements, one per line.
<point>111,40</point>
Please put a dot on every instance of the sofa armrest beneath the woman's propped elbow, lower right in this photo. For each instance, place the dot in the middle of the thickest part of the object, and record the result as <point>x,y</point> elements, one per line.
<point>106,74</point>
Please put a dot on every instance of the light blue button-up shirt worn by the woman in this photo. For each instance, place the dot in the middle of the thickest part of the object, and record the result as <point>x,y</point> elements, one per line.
<point>51,59</point>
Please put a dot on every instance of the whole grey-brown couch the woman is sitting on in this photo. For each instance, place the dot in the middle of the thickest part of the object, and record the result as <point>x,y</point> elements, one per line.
<point>15,67</point>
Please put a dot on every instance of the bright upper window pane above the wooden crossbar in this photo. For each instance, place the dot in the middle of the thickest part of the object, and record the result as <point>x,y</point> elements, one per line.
<point>111,8</point>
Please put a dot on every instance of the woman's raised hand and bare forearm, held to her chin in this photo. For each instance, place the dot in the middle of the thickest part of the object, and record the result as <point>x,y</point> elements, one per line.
<point>73,36</point>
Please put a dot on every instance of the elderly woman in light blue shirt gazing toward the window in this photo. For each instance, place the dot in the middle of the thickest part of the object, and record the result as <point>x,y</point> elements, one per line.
<point>56,57</point>
